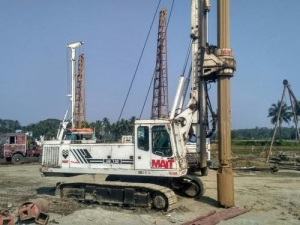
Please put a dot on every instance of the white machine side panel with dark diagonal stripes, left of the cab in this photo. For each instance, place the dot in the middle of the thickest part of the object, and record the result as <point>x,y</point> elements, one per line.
<point>104,156</point>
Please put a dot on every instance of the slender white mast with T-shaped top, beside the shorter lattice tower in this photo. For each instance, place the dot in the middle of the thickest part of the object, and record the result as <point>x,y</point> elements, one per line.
<point>73,46</point>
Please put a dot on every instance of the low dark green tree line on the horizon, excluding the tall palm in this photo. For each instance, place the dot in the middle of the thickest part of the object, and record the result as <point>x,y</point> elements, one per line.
<point>111,132</point>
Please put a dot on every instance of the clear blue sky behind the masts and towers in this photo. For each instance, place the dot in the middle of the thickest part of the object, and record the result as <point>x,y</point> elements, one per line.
<point>35,66</point>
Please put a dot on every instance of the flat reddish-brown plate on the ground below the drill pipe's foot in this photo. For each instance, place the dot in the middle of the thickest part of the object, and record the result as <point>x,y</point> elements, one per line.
<point>214,217</point>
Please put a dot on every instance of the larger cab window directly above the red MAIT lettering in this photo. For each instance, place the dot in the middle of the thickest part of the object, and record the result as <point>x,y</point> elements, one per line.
<point>161,144</point>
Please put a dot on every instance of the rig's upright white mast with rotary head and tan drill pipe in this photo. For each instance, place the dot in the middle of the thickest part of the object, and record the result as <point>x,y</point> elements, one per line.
<point>211,64</point>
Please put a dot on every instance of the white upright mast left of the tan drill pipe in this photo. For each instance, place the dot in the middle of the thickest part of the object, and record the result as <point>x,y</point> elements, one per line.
<point>199,10</point>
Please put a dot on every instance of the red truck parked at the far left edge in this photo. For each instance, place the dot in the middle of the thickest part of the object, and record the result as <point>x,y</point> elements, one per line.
<point>14,147</point>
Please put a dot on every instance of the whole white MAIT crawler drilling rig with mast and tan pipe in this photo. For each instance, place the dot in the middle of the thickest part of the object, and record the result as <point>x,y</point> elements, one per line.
<point>150,170</point>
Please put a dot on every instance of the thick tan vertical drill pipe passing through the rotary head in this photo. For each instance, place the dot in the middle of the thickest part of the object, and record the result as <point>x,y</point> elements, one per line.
<point>225,174</point>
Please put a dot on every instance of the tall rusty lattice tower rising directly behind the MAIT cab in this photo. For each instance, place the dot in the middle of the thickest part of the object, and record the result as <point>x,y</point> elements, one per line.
<point>160,102</point>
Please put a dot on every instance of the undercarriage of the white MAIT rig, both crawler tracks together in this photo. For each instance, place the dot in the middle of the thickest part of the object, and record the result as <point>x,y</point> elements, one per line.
<point>153,192</point>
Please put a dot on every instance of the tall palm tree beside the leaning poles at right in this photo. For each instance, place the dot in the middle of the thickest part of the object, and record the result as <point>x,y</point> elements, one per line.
<point>284,115</point>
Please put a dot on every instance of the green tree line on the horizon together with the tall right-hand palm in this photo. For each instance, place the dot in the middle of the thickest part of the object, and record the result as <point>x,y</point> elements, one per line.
<point>106,131</point>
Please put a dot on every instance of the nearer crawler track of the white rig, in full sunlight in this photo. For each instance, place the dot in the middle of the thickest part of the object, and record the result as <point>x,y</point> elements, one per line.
<point>120,193</point>
